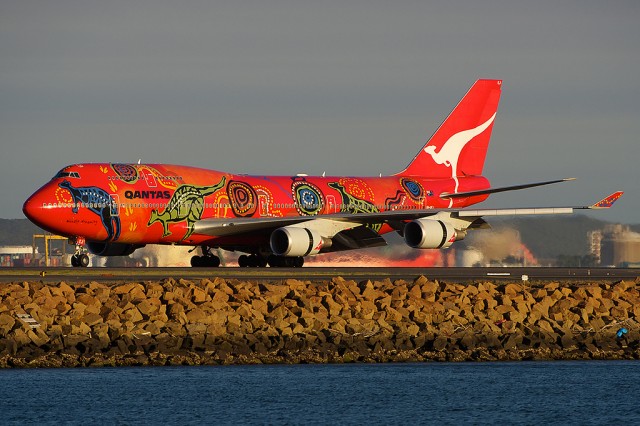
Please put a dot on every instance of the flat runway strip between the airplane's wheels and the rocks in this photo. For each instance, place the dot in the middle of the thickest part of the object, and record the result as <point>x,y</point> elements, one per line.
<point>316,273</point>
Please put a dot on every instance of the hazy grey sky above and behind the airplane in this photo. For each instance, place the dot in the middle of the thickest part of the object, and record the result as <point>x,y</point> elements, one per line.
<point>342,87</point>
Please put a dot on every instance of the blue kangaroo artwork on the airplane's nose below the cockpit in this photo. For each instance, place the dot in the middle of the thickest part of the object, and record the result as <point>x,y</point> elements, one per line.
<point>99,202</point>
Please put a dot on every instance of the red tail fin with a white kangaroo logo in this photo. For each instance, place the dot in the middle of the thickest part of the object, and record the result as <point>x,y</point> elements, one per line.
<point>459,146</point>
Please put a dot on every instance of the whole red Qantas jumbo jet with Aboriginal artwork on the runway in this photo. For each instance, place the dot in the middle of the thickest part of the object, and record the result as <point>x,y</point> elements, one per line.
<point>114,209</point>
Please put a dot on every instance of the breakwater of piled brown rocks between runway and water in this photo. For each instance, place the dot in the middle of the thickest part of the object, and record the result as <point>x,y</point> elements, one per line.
<point>179,322</point>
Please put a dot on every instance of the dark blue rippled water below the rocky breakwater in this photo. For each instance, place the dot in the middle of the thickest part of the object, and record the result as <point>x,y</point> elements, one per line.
<point>582,393</point>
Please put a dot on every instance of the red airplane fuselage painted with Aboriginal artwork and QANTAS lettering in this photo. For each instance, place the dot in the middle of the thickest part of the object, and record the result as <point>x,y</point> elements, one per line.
<point>159,203</point>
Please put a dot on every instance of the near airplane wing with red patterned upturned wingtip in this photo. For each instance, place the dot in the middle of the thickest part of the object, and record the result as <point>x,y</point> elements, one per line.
<point>344,223</point>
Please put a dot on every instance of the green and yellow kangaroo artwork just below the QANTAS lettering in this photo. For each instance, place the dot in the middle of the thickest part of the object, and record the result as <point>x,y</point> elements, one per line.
<point>186,205</point>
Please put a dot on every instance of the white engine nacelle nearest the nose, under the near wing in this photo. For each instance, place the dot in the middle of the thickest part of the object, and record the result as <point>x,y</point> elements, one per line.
<point>293,241</point>
